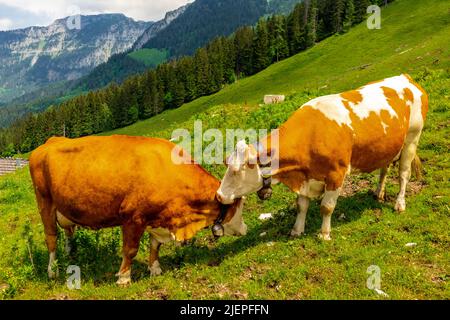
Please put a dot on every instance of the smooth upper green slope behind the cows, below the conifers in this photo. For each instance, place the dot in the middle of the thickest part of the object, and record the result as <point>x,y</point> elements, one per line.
<point>413,34</point>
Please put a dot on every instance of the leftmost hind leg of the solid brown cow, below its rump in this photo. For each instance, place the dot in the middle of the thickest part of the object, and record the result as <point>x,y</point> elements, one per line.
<point>48,215</point>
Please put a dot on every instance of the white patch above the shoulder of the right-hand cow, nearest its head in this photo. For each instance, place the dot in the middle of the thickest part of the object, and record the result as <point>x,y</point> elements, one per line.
<point>332,107</point>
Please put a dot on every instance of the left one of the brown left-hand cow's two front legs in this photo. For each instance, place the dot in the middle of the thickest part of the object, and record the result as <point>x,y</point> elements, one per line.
<point>132,234</point>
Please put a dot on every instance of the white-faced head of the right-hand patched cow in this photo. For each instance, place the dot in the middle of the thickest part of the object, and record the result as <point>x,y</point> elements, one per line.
<point>244,175</point>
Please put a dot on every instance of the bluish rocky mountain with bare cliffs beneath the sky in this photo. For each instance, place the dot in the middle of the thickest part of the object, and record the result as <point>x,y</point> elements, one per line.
<point>34,57</point>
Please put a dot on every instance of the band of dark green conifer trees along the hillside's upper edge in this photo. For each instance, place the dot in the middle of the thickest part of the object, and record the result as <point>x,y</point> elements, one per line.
<point>224,60</point>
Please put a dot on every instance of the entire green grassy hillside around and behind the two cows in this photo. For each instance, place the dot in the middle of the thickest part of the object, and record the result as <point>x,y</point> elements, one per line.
<point>267,263</point>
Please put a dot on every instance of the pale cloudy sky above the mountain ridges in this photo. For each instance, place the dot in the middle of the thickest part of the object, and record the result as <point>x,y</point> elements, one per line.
<point>15,14</point>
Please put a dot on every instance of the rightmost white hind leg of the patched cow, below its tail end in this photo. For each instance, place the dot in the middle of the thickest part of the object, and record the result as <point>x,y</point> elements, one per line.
<point>407,157</point>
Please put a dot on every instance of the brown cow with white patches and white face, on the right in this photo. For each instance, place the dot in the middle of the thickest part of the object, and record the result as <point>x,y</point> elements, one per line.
<point>364,129</point>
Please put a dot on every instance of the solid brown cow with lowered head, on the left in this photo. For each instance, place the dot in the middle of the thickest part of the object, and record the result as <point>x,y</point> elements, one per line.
<point>102,182</point>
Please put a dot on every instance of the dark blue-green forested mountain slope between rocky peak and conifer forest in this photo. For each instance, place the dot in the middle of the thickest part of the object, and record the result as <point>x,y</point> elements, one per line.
<point>214,18</point>
